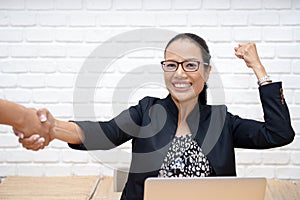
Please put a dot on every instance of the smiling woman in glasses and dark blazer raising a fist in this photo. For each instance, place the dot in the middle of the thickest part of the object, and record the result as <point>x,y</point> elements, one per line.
<point>181,135</point>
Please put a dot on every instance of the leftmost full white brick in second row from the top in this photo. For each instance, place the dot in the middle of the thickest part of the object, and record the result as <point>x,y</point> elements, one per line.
<point>22,19</point>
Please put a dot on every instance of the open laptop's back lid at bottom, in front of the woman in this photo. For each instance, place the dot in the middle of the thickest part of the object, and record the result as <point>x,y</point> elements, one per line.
<point>206,188</point>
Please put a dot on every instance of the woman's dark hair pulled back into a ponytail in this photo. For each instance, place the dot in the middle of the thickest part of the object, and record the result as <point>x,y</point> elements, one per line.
<point>205,55</point>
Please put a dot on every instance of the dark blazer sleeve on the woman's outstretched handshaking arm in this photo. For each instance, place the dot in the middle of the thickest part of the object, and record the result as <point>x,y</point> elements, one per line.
<point>109,134</point>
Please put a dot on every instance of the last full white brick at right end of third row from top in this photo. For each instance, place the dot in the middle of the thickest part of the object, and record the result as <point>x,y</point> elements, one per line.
<point>278,34</point>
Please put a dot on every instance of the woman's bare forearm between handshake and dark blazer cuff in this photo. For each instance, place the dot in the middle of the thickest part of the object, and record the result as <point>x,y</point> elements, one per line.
<point>68,132</point>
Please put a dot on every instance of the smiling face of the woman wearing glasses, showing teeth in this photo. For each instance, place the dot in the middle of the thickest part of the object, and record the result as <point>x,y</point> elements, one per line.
<point>184,86</point>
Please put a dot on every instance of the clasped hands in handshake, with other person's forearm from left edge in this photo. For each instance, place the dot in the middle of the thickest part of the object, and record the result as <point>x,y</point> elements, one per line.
<point>35,128</point>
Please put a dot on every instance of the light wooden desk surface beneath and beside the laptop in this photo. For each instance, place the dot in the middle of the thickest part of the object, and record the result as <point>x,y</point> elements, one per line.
<point>97,188</point>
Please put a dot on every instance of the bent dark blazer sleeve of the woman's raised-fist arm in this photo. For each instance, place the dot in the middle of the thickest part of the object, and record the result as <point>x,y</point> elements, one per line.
<point>275,131</point>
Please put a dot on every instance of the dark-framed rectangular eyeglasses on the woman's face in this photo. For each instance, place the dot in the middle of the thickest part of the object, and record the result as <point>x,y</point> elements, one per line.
<point>187,66</point>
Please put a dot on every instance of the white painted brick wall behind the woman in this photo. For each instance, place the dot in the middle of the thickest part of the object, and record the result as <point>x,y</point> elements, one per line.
<point>44,44</point>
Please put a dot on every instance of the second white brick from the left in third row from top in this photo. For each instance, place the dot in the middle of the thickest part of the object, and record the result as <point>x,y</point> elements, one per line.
<point>39,35</point>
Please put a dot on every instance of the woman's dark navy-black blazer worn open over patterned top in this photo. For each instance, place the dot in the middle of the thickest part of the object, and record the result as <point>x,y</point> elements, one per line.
<point>151,125</point>
